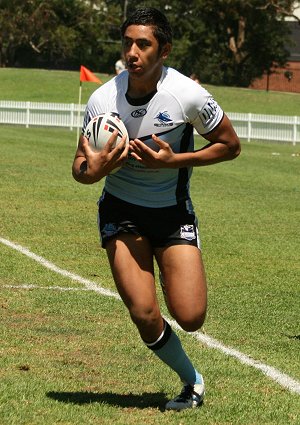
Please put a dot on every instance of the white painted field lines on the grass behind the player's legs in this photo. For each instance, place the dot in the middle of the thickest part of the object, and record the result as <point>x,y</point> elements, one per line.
<point>281,378</point>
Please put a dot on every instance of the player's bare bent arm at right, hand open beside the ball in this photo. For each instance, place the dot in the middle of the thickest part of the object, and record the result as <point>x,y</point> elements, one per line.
<point>224,145</point>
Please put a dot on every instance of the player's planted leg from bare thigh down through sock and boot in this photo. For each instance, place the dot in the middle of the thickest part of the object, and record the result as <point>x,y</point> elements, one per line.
<point>131,261</point>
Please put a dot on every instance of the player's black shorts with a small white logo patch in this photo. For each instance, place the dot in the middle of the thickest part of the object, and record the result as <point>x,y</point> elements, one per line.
<point>175,225</point>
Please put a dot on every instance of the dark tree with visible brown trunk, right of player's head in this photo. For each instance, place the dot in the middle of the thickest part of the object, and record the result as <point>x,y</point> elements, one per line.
<point>251,38</point>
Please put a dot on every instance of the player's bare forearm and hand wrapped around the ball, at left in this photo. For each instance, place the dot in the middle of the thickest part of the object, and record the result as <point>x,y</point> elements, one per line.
<point>90,167</point>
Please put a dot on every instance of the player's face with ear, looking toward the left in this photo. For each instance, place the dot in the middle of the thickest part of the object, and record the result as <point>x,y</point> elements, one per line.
<point>141,51</point>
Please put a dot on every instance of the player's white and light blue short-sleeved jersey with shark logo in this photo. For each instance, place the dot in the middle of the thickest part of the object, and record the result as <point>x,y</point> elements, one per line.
<point>178,106</point>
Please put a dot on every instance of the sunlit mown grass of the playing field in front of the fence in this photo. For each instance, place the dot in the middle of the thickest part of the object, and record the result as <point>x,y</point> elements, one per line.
<point>73,357</point>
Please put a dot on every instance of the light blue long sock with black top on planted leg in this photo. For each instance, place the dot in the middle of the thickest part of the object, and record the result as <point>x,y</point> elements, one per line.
<point>169,349</point>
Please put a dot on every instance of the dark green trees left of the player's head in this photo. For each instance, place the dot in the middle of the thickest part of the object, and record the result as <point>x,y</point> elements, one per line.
<point>57,34</point>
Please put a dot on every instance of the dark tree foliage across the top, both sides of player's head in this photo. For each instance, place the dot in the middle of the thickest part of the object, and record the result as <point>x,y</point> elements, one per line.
<point>227,42</point>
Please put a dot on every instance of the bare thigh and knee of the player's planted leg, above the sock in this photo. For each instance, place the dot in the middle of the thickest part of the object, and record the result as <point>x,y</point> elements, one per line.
<point>131,261</point>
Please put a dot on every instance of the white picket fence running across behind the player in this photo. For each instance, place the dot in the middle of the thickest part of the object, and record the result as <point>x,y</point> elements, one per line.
<point>248,126</point>
